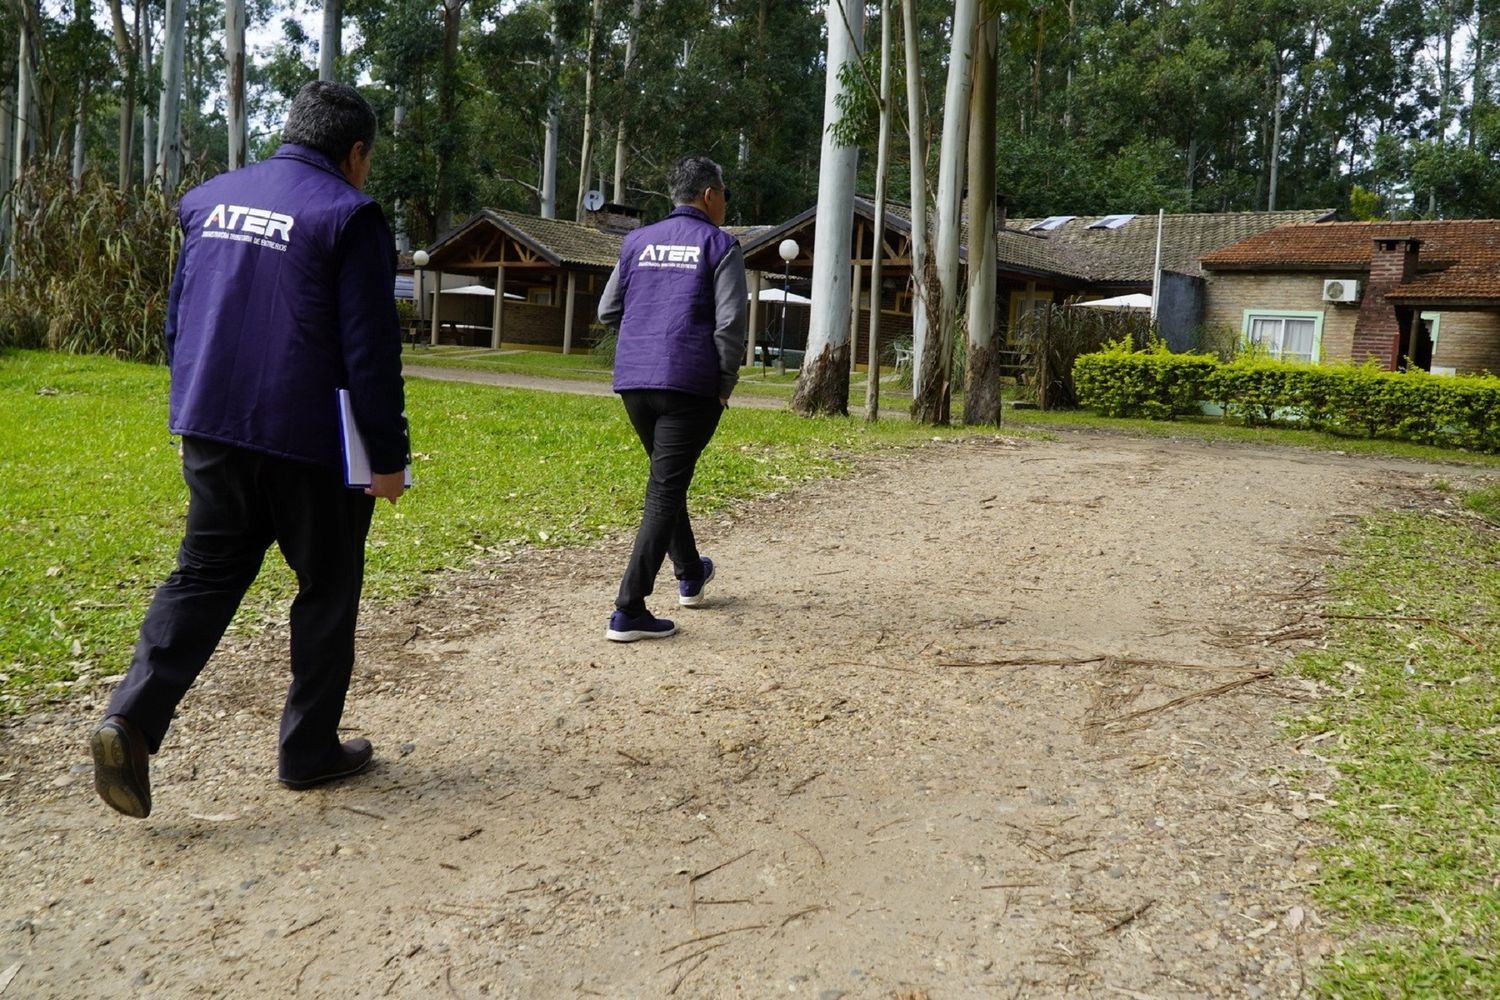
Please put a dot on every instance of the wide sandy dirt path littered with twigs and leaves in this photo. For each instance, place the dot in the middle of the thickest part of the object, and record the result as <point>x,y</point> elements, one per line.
<point>806,794</point>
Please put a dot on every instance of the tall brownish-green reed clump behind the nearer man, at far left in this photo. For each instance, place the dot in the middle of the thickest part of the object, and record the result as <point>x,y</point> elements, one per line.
<point>92,266</point>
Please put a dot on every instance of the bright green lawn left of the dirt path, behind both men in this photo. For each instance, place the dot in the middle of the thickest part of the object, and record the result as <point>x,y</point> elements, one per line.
<point>94,499</point>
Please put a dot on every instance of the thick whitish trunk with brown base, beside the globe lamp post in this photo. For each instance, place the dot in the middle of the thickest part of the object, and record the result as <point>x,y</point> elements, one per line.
<point>824,383</point>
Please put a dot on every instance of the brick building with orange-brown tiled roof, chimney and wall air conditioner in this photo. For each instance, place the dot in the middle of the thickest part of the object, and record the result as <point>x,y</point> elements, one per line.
<point>1397,293</point>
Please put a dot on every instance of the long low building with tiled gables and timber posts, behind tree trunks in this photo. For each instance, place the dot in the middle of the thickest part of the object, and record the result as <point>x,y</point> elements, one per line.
<point>553,271</point>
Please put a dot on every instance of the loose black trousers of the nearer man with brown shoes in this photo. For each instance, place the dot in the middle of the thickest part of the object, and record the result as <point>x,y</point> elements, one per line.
<point>239,503</point>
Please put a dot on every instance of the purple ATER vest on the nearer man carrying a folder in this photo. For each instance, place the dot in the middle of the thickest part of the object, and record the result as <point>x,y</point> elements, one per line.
<point>256,341</point>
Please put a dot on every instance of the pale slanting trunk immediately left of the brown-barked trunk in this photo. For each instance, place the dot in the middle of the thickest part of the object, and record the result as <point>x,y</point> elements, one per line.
<point>934,400</point>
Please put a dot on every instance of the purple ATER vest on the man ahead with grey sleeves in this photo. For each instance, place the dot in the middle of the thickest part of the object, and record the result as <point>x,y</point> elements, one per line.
<point>667,284</point>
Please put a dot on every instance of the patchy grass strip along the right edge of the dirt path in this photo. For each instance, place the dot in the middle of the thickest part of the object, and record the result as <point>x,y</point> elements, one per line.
<point>1411,869</point>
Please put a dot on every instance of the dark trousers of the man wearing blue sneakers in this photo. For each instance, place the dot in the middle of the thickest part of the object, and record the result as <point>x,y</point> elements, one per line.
<point>674,428</point>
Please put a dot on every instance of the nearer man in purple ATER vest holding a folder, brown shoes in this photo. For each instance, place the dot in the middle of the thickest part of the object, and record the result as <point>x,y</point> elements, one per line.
<point>281,298</point>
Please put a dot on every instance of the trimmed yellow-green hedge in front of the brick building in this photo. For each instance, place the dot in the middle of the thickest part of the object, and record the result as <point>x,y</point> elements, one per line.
<point>1451,412</point>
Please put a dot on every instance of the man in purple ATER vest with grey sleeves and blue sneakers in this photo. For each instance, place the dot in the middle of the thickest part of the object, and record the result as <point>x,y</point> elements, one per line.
<point>679,298</point>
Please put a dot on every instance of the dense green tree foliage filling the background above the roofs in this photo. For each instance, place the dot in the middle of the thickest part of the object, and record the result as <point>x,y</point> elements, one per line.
<point>1375,107</point>
